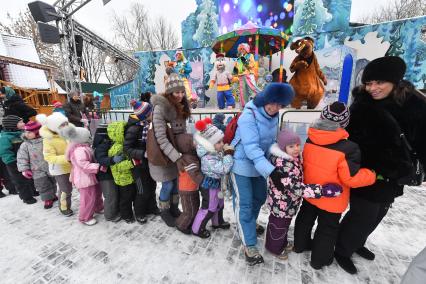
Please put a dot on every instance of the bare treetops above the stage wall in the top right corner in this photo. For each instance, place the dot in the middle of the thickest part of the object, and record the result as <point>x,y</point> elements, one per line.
<point>395,10</point>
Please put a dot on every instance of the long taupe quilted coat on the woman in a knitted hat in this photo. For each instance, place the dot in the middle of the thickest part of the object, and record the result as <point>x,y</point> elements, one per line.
<point>164,114</point>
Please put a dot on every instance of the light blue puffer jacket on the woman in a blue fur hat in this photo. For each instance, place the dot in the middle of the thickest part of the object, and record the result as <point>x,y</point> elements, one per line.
<point>255,134</point>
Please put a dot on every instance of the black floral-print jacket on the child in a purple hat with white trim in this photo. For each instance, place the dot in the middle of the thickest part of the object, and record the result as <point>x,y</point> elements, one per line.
<point>285,197</point>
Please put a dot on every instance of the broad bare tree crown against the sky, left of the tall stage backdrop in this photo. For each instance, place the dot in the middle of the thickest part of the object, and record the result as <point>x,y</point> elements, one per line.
<point>136,32</point>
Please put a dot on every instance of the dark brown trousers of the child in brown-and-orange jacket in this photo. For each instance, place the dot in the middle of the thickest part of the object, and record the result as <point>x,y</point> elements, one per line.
<point>190,201</point>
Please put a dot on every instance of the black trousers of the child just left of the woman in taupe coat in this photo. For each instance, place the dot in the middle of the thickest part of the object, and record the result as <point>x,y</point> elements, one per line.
<point>145,200</point>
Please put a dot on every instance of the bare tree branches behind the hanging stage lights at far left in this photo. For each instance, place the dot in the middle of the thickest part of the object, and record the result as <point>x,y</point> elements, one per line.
<point>25,26</point>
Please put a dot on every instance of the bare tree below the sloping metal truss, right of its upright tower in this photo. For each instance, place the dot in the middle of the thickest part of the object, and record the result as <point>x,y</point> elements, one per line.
<point>93,61</point>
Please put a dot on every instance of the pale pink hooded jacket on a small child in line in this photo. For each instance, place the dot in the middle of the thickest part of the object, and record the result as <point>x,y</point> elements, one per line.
<point>83,171</point>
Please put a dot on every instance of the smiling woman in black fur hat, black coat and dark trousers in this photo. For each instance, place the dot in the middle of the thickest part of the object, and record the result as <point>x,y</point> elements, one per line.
<point>383,106</point>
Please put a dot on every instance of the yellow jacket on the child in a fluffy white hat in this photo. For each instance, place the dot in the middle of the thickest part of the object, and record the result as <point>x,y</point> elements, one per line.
<point>54,147</point>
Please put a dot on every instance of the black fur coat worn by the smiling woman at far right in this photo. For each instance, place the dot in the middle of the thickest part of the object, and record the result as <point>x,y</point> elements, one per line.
<point>379,141</point>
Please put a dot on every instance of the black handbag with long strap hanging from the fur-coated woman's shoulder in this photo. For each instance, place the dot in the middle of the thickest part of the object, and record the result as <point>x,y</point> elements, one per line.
<point>417,174</point>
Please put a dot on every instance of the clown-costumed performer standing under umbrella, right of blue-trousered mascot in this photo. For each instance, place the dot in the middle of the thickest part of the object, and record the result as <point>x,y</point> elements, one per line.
<point>245,69</point>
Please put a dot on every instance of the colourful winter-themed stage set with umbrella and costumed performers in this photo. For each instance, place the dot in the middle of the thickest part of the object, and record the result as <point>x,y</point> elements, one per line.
<point>231,47</point>
